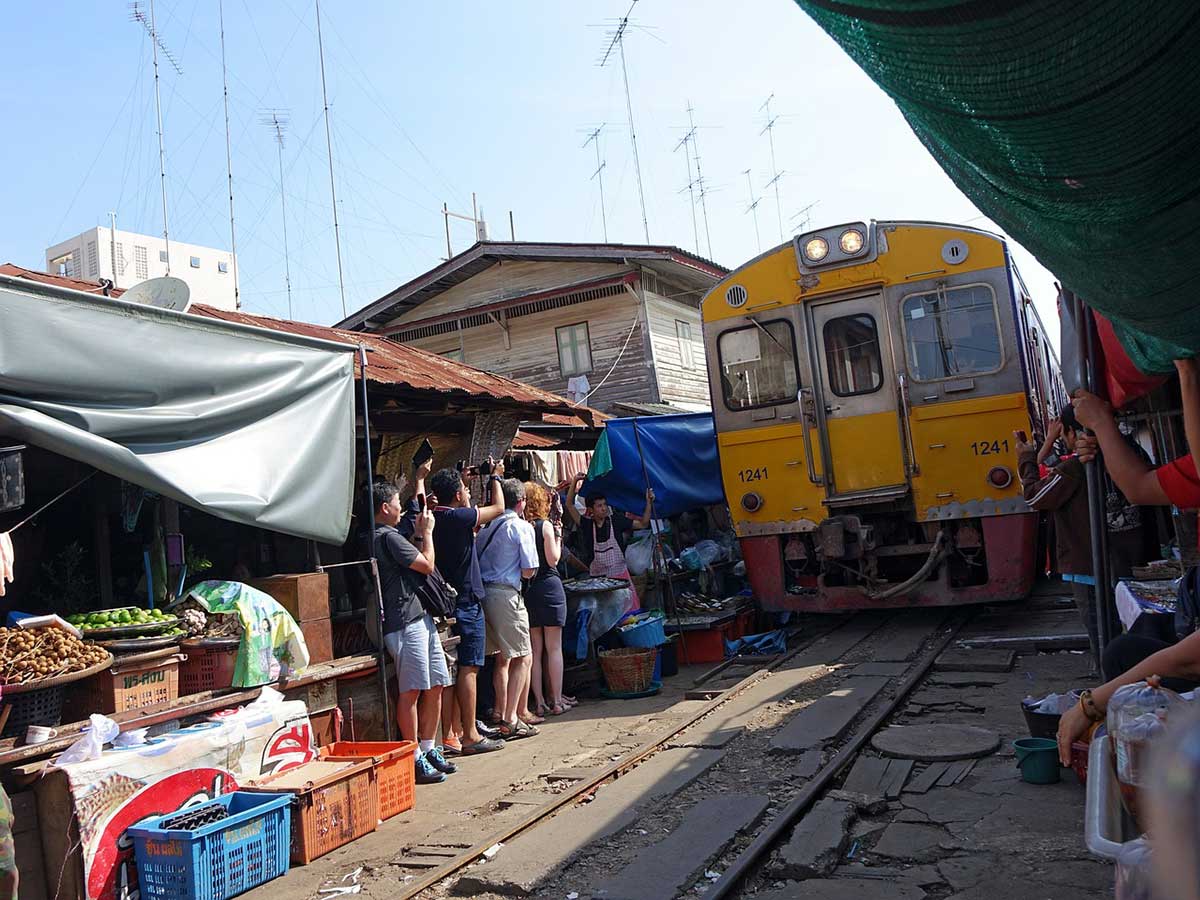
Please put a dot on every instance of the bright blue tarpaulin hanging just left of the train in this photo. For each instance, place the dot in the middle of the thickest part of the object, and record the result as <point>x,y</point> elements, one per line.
<point>681,463</point>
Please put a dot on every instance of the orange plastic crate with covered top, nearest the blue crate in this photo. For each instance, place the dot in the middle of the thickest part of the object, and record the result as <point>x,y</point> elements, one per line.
<point>335,805</point>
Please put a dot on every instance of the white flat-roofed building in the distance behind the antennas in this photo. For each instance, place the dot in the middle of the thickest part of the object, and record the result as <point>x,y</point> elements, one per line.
<point>128,259</point>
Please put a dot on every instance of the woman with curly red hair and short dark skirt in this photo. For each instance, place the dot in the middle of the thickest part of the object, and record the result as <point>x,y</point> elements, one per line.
<point>547,603</point>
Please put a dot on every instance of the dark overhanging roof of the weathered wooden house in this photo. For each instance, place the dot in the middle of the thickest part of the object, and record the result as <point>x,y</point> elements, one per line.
<point>487,254</point>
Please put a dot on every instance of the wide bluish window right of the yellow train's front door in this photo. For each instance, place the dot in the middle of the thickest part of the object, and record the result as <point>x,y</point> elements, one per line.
<point>952,333</point>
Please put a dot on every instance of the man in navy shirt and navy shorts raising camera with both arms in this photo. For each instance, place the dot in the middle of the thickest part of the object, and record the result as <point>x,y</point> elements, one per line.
<point>455,544</point>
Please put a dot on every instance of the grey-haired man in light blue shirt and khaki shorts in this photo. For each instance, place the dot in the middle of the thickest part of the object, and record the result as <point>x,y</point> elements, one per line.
<point>508,554</point>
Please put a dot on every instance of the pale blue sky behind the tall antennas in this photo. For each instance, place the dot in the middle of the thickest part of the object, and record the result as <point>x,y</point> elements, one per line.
<point>431,103</point>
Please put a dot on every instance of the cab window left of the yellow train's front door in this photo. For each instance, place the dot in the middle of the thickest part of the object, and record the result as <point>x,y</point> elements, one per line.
<point>758,365</point>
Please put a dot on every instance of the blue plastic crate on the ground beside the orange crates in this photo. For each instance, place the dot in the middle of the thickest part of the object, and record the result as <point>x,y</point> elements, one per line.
<point>219,861</point>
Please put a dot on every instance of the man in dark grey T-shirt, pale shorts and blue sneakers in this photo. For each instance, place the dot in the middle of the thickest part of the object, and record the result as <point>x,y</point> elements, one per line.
<point>409,632</point>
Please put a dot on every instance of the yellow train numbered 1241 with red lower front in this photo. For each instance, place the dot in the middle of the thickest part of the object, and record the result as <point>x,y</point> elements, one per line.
<point>867,382</point>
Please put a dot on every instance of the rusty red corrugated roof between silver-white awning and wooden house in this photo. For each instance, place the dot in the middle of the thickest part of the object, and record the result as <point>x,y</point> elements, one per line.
<point>406,367</point>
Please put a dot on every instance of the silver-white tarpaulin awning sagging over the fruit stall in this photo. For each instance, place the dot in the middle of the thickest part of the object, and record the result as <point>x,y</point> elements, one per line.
<point>250,425</point>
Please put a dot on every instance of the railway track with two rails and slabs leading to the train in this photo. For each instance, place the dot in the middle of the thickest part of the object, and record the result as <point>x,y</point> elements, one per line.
<point>778,739</point>
